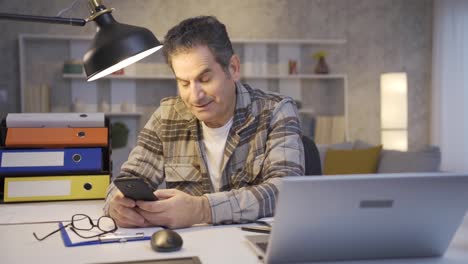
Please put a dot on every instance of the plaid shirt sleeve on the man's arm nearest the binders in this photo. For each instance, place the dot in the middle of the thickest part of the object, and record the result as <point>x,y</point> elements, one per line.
<point>145,160</point>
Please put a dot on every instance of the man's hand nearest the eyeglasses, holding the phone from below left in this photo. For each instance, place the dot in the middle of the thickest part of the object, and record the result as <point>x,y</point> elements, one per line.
<point>123,211</point>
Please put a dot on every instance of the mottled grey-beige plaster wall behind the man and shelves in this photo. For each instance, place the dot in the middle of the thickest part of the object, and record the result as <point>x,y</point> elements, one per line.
<point>382,36</point>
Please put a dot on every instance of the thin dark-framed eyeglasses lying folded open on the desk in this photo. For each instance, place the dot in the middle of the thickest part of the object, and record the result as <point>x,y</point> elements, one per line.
<point>85,223</point>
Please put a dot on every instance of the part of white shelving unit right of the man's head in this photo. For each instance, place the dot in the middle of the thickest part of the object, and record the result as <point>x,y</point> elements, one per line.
<point>266,65</point>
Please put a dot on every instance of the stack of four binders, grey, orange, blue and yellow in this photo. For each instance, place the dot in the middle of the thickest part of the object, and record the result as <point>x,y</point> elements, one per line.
<point>55,156</point>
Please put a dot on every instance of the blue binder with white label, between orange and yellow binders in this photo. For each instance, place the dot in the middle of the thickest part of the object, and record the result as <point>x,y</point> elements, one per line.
<point>39,161</point>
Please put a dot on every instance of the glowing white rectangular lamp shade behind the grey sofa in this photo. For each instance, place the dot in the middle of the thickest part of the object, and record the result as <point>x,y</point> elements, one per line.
<point>394,110</point>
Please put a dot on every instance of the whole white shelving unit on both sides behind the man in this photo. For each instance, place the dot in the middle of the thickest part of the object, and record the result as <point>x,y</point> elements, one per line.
<point>132,97</point>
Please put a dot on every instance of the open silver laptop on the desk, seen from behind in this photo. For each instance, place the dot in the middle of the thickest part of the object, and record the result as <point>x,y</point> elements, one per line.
<point>330,218</point>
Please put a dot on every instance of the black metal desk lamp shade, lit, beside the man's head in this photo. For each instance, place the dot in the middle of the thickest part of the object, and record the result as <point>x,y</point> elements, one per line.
<point>116,46</point>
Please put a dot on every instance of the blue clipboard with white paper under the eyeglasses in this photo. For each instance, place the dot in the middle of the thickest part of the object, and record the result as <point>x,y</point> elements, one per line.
<point>122,235</point>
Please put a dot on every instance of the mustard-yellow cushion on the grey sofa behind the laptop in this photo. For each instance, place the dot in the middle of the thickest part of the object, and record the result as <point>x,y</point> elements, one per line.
<point>355,161</point>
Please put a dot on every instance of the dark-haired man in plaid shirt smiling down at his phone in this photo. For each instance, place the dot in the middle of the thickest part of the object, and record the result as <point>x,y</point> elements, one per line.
<point>220,145</point>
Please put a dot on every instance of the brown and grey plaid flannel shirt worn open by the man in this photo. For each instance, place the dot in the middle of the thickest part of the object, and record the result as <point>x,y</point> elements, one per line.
<point>263,145</point>
